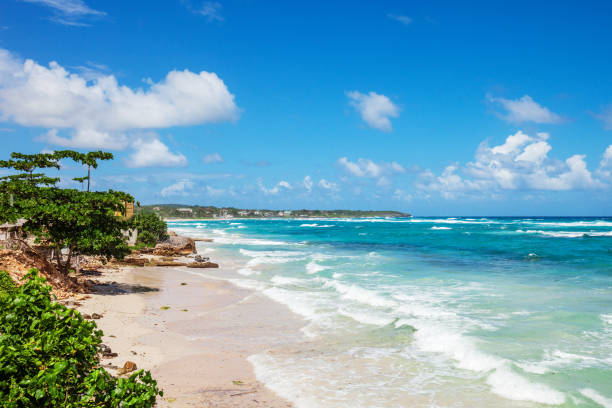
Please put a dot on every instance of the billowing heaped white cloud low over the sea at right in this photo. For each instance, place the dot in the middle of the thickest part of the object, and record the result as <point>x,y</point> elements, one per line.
<point>520,163</point>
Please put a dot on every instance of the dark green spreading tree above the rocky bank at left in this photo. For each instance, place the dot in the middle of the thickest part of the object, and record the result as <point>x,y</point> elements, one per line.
<point>81,222</point>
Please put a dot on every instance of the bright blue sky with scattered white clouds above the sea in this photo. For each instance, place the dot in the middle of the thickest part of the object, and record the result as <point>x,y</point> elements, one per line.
<point>430,107</point>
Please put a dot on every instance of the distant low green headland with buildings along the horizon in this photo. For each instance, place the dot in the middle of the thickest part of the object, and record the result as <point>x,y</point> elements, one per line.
<point>182,211</point>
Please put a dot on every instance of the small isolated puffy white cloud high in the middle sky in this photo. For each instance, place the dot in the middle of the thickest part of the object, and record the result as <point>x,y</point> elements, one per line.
<point>375,109</point>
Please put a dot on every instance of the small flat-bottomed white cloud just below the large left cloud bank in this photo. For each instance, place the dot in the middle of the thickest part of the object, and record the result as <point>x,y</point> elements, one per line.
<point>151,152</point>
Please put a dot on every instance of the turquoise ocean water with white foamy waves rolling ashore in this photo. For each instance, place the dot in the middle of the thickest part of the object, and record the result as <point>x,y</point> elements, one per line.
<point>430,312</point>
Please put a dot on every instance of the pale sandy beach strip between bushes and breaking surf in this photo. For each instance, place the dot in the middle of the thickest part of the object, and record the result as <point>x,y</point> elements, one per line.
<point>193,333</point>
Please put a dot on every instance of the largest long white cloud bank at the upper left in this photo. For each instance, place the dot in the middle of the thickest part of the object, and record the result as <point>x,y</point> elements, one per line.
<point>99,113</point>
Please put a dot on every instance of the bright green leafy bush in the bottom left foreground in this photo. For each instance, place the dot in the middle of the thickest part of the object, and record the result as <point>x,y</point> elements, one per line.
<point>49,356</point>
